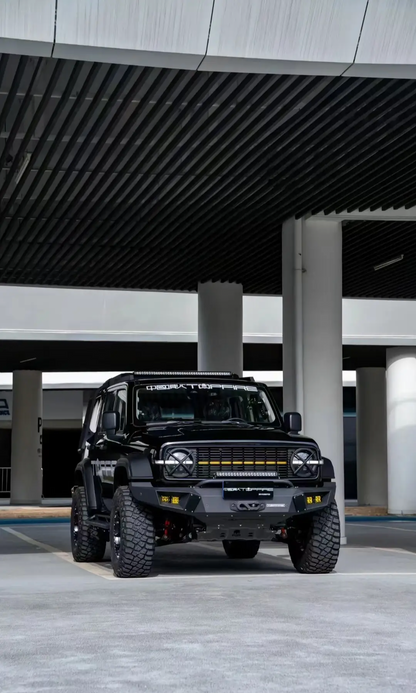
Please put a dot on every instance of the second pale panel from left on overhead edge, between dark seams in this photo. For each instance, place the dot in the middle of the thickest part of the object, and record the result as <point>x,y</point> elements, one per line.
<point>161,33</point>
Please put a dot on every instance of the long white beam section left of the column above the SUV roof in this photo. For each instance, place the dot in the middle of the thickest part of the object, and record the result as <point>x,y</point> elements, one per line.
<point>44,313</point>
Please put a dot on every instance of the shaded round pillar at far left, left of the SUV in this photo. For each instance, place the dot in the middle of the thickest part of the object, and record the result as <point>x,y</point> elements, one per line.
<point>26,461</point>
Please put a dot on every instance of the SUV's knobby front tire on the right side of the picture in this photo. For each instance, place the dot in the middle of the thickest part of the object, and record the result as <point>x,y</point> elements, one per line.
<point>314,542</point>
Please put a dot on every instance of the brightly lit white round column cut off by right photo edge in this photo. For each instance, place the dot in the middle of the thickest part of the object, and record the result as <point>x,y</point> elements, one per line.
<point>401,430</point>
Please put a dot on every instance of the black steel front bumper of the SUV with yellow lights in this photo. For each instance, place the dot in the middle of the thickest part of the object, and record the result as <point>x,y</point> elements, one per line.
<point>216,517</point>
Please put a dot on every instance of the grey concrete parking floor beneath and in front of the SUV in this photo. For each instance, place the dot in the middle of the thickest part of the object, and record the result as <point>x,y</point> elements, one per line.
<point>203,623</point>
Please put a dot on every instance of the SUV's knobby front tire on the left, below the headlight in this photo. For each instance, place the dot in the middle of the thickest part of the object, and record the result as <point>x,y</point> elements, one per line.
<point>133,556</point>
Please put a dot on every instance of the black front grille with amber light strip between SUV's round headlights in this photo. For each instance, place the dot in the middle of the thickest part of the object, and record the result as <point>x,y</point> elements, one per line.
<point>212,459</point>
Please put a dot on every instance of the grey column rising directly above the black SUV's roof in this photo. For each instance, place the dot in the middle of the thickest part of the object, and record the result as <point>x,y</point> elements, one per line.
<point>220,327</point>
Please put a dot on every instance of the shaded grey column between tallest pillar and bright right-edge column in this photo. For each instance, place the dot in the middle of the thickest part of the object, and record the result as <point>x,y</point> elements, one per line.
<point>371,437</point>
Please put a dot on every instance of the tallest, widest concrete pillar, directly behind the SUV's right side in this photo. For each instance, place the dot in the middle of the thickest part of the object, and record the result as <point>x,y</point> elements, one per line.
<point>312,335</point>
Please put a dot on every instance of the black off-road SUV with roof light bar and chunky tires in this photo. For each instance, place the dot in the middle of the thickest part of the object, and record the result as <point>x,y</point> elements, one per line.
<point>178,457</point>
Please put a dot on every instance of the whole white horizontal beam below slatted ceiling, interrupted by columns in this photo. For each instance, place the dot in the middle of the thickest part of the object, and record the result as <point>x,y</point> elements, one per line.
<point>101,315</point>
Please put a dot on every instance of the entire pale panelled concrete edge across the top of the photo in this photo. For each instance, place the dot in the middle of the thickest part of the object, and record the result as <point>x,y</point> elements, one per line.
<point>322,37</point>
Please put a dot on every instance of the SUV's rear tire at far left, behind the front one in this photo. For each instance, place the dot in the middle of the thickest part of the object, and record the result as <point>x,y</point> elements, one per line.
<point>88,543</point>
